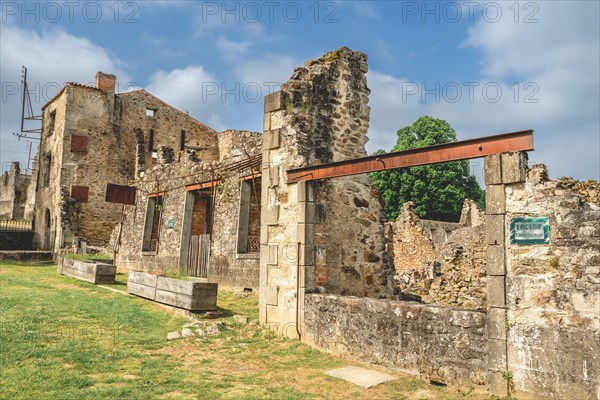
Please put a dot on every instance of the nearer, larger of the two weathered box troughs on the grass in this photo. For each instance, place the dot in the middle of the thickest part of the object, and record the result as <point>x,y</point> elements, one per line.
<point>195,294</point>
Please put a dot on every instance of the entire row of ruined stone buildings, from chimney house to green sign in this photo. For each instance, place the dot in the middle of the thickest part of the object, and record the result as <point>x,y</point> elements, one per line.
<point>494,314</point>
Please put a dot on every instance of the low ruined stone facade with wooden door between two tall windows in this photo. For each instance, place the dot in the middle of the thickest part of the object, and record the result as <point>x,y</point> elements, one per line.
<point>199,216</point>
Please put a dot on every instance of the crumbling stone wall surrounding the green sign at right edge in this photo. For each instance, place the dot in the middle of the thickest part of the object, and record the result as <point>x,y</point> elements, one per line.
<point>553,290</point>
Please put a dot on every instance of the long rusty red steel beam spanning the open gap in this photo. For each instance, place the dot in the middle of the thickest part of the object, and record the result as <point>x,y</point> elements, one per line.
<point>462,150</point>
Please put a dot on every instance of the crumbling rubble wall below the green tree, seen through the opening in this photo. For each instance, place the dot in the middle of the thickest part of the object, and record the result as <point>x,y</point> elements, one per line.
<point>441,262</point>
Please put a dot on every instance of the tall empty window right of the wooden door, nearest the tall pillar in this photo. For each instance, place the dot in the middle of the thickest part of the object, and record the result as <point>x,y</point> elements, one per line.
<point>249,217</point>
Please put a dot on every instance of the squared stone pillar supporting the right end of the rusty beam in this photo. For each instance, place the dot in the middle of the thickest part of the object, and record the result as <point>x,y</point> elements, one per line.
<point>500,170</point>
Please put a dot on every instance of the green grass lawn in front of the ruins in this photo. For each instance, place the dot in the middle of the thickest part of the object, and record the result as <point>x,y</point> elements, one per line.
<point>65,339</point>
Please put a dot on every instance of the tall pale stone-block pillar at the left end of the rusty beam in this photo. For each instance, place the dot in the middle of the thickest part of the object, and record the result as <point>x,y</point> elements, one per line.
<point>284,225</point>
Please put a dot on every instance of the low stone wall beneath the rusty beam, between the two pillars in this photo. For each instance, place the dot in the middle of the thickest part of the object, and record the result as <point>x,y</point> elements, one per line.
<point>439,343</point>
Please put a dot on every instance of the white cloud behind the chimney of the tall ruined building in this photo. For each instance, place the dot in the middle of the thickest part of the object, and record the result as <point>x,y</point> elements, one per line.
<point>53,57</point>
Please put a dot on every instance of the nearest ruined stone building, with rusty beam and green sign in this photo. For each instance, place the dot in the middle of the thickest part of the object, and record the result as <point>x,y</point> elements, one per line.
<point>326,271</point>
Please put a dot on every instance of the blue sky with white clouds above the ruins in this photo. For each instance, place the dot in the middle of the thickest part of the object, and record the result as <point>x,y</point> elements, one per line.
<point>485,67</point>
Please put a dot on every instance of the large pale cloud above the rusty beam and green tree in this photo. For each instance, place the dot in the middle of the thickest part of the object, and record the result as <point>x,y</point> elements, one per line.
<point>558,68</point>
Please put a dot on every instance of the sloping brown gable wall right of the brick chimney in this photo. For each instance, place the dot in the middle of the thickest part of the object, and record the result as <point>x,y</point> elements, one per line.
<point>167,124</point>
